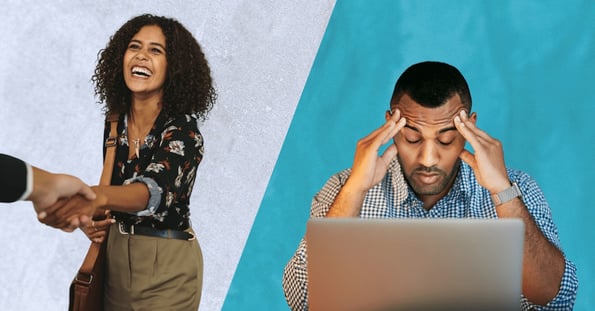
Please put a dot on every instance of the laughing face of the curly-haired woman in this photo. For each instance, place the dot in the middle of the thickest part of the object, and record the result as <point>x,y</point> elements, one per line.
<point>145,63</point>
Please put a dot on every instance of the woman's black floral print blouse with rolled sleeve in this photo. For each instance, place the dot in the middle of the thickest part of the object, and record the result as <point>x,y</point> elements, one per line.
<point>167,164</point>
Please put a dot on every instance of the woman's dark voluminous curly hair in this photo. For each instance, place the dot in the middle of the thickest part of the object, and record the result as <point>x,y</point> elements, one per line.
<point>188,87</point>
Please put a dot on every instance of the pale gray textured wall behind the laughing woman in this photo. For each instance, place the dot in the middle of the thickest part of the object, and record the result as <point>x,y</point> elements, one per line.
<point>260,53</point>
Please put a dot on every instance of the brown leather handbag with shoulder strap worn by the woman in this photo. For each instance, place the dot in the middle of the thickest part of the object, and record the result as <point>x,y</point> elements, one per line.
<point>86,290</point>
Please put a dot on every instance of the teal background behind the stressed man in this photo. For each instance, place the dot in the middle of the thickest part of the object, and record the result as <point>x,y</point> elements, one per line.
<point>531,68</point>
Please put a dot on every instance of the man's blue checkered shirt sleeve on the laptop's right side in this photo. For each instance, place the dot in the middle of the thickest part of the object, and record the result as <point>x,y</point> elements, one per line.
<point>539,208</point>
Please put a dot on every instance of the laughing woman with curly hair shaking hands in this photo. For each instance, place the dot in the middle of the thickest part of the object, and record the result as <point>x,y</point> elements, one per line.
<point>155,78</point>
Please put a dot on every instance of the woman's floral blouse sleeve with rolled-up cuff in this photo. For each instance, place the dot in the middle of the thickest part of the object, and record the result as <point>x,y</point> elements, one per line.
<point>170,175</point>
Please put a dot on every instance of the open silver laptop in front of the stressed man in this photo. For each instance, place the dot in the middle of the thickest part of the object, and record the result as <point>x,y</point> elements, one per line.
<point>414,264</point>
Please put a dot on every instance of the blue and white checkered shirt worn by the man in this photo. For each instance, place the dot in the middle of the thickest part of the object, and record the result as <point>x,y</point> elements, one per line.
<point>392,198</point>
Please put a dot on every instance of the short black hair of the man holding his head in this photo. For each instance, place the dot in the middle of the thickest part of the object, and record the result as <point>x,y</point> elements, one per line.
<point>431,84</point>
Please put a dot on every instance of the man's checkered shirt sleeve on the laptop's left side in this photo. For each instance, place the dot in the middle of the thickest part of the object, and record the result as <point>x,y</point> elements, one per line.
<point>295,274</point>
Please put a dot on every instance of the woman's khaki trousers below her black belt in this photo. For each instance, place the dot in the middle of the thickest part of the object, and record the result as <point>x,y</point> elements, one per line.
<point>152,274</point>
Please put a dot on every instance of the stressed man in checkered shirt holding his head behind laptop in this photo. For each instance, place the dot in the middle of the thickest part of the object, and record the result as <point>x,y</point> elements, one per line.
<point>427,173</point>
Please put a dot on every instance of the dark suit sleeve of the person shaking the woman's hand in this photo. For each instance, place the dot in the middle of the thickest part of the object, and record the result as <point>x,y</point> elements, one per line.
<point>13,178</point>
